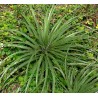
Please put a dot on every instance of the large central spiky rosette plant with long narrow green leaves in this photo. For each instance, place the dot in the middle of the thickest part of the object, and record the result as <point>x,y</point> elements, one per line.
<point>41,52</point>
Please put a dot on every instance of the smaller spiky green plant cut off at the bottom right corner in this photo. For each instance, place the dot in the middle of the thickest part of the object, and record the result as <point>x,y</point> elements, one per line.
<point>84,80</point>
